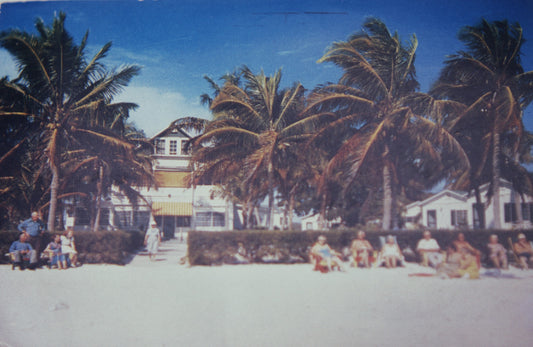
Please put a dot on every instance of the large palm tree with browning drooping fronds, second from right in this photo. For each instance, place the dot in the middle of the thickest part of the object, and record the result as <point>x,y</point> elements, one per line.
<point>373,114</point>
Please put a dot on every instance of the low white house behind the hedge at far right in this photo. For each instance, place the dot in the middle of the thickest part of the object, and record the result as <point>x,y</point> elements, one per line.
<point>450,209</point>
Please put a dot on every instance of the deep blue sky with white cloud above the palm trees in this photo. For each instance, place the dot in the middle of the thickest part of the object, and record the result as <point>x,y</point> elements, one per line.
<point>178,42</point>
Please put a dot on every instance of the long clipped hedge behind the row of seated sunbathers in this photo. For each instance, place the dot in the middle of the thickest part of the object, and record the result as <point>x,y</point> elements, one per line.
<point>215,248</point>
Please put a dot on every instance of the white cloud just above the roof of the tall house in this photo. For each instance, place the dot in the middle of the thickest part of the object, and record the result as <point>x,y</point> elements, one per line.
<point>158,108</point>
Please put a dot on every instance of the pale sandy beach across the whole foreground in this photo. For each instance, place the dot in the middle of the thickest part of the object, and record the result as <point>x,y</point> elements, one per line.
<point>165,304</point>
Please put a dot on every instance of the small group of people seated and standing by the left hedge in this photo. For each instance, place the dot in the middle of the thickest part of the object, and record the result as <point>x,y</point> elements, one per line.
<point>61,251</point>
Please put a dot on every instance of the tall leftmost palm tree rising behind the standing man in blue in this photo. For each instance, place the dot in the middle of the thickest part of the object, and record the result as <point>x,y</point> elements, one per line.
<point>61,88</point>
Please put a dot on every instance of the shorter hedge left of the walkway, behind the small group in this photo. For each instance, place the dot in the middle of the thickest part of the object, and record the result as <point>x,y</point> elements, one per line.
<point>109,247</point>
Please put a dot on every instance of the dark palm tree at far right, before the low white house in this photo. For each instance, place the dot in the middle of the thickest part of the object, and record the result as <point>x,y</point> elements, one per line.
<point>489,78</point>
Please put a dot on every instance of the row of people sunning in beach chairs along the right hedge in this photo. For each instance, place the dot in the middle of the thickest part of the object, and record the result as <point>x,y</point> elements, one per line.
<point>461,259</point>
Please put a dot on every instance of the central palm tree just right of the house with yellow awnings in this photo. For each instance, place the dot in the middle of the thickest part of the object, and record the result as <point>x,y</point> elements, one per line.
<point>254,124</point>
